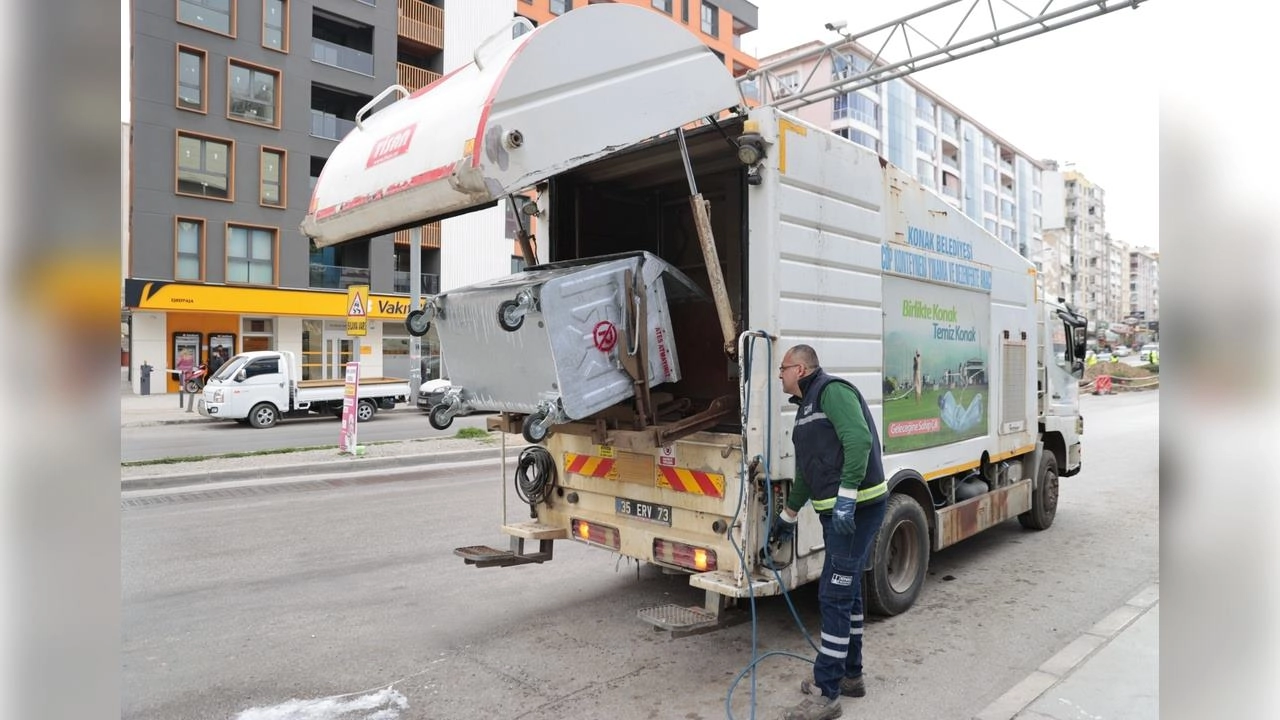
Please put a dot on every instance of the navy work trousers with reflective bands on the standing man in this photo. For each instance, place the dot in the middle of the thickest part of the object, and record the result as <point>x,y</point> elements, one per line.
<point>840,598</point>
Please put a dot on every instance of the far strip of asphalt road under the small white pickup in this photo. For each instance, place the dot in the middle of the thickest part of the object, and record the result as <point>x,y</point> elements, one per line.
<point>216,438</point>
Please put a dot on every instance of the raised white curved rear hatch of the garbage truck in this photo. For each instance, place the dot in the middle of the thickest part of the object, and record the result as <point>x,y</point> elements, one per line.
<point>591,83</point>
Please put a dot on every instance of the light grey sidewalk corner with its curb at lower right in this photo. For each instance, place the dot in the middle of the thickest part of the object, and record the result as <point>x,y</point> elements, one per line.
<point>1113,671</point>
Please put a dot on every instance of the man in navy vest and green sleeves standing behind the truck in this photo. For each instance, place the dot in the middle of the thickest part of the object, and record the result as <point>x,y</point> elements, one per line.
<point>840,472</point>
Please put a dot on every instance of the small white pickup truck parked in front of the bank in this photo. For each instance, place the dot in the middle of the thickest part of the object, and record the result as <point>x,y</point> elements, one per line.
<point>258,389</point>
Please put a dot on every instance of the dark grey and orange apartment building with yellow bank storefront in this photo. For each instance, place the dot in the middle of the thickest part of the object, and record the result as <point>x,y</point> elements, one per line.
<point>235,108</point>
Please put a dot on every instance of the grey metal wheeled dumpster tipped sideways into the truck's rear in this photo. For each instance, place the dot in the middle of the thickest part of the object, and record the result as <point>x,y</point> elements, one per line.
<point>559,343</point>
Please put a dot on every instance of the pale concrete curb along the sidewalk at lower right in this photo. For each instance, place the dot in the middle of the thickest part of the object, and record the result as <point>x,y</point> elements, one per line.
<point>1071,658</point>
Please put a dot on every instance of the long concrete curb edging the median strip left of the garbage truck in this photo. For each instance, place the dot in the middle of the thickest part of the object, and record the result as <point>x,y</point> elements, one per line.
<point>346,464</point>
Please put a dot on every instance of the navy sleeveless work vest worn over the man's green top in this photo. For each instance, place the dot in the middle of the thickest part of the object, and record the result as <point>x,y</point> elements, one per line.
<point>820,453</point>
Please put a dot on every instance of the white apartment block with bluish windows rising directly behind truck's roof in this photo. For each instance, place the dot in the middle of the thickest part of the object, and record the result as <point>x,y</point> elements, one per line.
<point>982,175</point>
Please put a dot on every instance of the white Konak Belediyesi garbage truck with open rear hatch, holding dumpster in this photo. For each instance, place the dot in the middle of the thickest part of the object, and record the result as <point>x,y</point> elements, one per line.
<point>685,243</point>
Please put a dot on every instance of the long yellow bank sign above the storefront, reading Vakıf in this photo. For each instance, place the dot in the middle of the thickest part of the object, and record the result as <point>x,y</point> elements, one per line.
<point>170,297</point>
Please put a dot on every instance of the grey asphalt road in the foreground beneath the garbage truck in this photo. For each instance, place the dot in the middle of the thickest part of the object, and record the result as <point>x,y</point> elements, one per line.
<point>324,600</point>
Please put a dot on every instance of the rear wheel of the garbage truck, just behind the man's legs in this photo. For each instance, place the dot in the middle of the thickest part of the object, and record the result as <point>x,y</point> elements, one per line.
<point>900,558</point>
